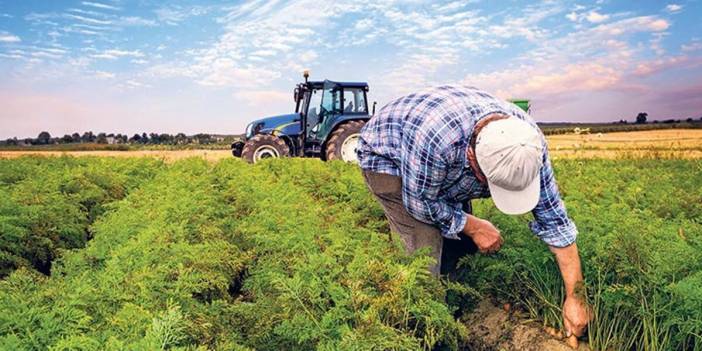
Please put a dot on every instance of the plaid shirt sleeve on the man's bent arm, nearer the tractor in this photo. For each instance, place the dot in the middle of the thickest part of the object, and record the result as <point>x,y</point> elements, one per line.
<point>423,174</point>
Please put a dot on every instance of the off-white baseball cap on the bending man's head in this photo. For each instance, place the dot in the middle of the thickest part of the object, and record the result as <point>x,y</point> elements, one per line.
<point>510,154</point>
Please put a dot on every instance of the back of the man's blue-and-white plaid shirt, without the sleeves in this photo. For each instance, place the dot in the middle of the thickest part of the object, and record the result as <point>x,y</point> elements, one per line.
<point>439,119</point>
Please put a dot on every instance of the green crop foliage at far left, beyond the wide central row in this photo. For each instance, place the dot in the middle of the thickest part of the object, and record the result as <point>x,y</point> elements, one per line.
<point>47,204</point>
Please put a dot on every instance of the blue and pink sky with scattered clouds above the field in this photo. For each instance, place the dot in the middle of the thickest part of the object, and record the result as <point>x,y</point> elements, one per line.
<point>213,66</point>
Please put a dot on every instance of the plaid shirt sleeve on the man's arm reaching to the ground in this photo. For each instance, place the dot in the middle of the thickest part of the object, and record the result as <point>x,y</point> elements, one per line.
<point>551,222</point>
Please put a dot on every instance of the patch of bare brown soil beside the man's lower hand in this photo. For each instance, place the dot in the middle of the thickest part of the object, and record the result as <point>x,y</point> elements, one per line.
<point>492,329</point>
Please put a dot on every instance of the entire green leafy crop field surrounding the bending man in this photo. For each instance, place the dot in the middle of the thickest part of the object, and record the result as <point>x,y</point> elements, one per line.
<point>294,254</point>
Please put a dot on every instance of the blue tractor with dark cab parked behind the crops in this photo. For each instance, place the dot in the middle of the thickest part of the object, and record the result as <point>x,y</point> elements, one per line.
<point>326,124</point>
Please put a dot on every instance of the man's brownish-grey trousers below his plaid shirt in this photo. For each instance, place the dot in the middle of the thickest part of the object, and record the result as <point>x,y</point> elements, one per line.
<point>414,233</point>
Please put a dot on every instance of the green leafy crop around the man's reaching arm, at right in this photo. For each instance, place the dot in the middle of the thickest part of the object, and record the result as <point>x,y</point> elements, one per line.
<point>641,245</point>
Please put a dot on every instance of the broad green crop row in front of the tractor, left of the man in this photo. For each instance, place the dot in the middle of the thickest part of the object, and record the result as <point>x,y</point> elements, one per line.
<point>228,257</point>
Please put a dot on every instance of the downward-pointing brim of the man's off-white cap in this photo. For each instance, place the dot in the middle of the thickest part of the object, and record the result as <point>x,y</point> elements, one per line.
<point>516,202</point>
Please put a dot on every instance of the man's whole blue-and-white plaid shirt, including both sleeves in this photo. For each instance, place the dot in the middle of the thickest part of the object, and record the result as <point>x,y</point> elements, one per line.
<point>423,138</point>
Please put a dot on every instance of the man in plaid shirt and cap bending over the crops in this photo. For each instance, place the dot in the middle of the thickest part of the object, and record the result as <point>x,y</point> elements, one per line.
<point>427,154</point>
